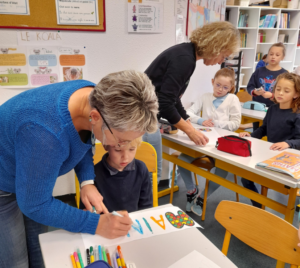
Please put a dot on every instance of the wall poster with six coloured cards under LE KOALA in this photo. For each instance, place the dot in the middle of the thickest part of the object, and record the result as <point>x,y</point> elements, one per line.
<point>34,66</point>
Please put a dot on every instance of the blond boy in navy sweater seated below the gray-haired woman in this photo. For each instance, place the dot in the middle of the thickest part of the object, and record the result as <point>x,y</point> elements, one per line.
<point>122,180</point>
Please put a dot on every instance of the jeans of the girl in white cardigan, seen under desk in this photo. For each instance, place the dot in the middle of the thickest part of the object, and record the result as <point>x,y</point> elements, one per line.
<point>188,179</point>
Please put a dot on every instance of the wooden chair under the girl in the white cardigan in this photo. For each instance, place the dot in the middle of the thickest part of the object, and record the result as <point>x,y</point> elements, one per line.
<point>205,163</point>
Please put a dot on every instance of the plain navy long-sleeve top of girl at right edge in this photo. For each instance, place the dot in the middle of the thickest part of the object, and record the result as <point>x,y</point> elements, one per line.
<point>280,125</point>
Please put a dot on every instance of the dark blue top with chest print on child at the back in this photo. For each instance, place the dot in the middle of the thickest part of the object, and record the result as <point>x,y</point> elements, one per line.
<point>265,78</point>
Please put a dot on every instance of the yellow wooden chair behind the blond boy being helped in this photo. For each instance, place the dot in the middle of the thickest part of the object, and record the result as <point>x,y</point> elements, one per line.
<point>145,153</point>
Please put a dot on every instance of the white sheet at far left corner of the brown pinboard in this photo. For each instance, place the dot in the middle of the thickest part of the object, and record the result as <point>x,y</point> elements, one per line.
<point>16,7</point>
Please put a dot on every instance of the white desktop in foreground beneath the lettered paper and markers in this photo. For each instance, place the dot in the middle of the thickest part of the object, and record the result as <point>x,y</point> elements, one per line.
<point>158,251</point>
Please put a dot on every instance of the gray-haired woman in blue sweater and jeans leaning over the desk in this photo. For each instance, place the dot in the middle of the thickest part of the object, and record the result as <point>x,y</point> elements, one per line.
<point>46,132</point>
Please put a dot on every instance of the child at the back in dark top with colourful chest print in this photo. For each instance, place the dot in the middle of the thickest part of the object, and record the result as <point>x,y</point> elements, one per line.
<point>262,80</point>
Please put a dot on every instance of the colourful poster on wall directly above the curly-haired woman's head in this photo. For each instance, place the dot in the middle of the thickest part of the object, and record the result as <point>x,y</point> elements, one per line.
<point>202,12</point>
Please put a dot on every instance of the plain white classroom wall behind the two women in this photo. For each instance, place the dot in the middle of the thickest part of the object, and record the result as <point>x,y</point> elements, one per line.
<point>116,50</point>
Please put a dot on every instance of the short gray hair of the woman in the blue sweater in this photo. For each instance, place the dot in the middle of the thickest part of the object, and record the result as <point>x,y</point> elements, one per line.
<point>127,101</point>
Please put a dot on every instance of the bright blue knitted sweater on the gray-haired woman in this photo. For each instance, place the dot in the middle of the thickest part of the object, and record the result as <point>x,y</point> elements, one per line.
<point>39,143</point>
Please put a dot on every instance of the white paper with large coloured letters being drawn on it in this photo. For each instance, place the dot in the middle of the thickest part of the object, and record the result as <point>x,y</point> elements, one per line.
<point>140,218</point>
